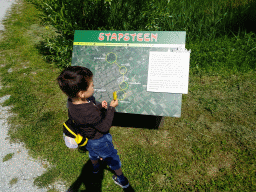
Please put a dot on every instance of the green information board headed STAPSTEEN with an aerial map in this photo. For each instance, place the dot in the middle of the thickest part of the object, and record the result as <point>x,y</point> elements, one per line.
<point>120,61</point>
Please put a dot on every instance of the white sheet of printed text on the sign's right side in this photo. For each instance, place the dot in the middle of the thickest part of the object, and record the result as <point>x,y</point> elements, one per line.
<point>168,72</point>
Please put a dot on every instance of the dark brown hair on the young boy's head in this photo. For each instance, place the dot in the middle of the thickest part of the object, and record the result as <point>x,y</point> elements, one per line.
<point>74,79</point>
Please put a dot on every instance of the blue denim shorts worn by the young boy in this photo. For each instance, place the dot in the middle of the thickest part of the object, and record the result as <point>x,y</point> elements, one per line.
<point>103,147</point>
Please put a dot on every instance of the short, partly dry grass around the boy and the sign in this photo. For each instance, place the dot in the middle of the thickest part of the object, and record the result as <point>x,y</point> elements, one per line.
<point>210,148</point>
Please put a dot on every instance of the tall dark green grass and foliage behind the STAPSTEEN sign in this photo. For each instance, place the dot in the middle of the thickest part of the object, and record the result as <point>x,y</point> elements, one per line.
<point>202,20</point>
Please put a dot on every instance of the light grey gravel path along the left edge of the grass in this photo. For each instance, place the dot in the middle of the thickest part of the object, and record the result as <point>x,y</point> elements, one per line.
<point>17,169</point>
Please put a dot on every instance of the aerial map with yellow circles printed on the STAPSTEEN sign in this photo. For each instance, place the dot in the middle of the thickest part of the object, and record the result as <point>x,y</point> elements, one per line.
<point>125,69</point>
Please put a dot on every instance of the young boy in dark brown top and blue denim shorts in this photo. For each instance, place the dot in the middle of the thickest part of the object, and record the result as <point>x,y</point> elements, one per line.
<point>77,83</point>
